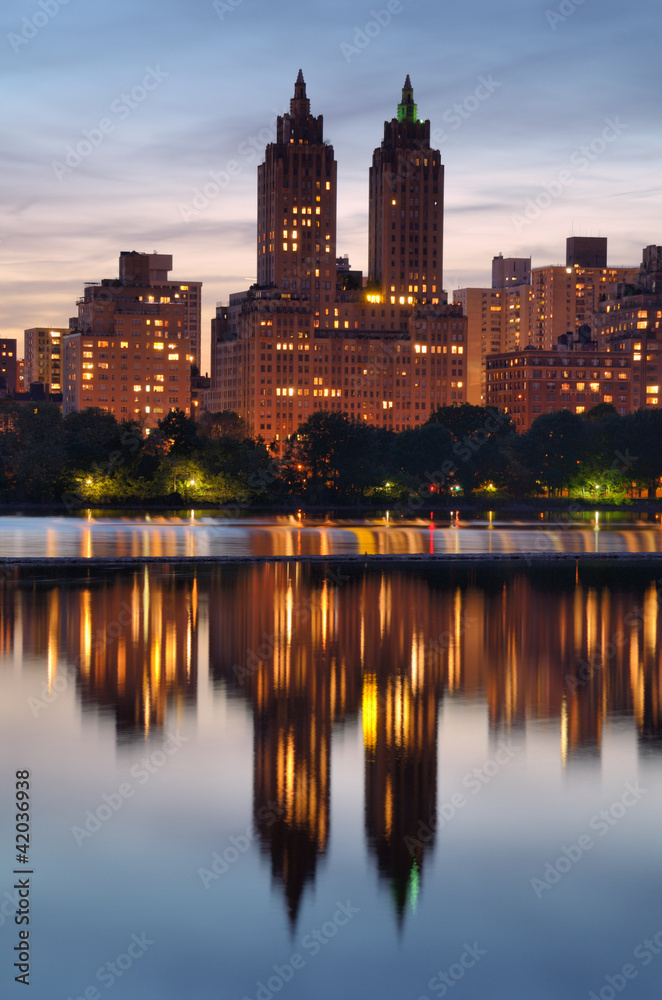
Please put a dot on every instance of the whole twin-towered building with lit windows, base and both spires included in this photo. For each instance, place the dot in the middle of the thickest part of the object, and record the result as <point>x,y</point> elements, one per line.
<point>303,340</point>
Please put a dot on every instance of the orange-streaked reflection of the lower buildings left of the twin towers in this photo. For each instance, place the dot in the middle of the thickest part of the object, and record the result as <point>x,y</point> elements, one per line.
<point>130,640</point>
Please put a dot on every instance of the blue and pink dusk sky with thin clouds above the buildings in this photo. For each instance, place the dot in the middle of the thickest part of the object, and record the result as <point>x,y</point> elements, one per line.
<point>513,91</point>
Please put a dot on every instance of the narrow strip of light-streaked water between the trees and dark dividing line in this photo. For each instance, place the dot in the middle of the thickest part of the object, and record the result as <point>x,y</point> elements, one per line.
<point>201,535</point>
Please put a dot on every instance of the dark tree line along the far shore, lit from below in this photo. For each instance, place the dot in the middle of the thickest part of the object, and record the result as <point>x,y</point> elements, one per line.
<point>462,450</point>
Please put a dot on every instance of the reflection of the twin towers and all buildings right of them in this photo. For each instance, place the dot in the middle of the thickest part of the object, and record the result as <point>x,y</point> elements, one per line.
<point>310,652</point>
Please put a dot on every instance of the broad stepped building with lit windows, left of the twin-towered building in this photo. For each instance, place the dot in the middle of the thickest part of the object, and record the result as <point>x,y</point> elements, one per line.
<point>130,350</point>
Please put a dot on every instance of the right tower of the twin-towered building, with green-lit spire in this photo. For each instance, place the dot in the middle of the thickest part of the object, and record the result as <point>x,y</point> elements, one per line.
<point>406,209</point>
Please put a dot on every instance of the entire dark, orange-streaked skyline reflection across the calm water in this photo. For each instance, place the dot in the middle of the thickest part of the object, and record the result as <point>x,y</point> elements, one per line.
<point>312,653</point>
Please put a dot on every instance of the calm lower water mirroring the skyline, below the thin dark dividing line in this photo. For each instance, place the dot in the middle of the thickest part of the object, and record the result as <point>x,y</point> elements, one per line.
<point>322,782</point>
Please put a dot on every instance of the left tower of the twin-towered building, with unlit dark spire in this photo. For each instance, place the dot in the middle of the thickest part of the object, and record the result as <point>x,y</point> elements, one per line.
<point>296,206</point>
